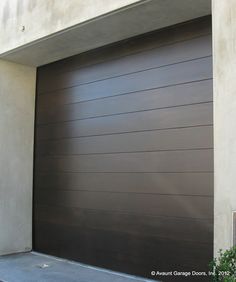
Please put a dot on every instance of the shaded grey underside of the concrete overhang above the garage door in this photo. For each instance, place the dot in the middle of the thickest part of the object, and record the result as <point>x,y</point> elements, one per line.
<point>132,20</point>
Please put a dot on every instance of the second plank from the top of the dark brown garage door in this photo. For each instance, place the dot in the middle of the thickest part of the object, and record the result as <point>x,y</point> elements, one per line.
<point>175,53</point>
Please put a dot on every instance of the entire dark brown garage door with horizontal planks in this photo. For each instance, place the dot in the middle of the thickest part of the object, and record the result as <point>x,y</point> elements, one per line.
<point>124,159</point>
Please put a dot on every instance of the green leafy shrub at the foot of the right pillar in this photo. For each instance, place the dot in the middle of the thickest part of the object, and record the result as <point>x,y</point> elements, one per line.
<point>224,267</point>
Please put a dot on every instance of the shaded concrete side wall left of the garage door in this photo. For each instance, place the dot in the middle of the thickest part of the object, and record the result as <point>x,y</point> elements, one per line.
<point>17,95</point>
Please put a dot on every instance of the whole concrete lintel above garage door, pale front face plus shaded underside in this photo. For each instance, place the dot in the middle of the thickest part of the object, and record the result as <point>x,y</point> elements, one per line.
<point>67,28</point>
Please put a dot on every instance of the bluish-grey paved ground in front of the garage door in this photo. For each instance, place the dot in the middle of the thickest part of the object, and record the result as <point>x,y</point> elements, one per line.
<point>34,267</point>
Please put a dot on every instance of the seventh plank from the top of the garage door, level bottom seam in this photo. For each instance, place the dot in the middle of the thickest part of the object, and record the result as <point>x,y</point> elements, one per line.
<point>167,161</point>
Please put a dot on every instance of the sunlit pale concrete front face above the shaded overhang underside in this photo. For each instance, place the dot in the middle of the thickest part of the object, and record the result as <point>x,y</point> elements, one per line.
<point>42,18</point>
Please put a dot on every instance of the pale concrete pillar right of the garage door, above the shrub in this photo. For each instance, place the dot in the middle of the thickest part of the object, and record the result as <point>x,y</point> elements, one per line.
<point>224,51</point>
